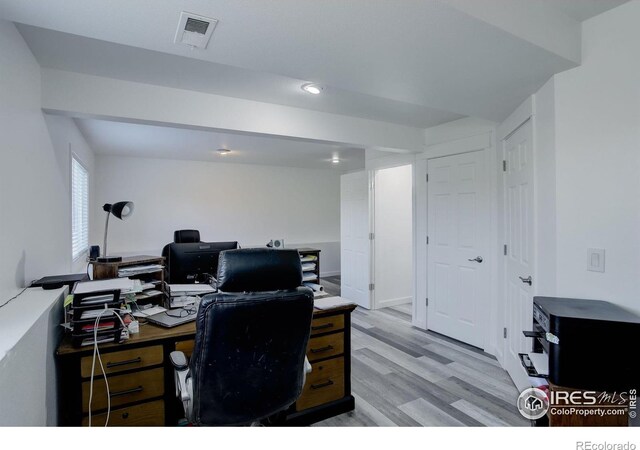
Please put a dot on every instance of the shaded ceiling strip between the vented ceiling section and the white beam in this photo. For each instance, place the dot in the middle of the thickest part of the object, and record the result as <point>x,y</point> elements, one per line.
<point>73,53</point>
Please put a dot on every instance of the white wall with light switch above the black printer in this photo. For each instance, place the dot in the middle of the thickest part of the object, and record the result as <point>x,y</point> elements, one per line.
<point>598,161</point>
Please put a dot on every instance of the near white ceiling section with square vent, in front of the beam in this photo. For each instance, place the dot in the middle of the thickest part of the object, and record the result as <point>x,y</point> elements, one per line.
<point>386,58</point>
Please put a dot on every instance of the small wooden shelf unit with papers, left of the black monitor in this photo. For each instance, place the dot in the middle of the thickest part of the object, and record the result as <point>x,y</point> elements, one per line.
<point>155,295</point>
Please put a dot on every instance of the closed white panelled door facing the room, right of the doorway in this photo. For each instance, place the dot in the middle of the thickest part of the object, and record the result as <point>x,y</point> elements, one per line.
<point>458,251</point>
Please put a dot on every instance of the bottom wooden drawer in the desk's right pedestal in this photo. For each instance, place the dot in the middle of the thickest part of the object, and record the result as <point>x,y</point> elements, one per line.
<point>324,384</point>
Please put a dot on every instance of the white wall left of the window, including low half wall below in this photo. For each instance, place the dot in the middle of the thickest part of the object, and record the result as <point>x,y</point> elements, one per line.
<point>34,231</point>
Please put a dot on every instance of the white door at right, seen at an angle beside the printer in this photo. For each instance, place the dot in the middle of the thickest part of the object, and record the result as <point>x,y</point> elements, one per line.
<point>518,191</point>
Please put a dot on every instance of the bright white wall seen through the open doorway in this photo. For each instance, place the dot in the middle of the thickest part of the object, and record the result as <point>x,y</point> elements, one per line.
<point>393,236</point>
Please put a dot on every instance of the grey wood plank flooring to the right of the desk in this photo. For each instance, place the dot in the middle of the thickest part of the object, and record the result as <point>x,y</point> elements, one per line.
<point>404,376</point>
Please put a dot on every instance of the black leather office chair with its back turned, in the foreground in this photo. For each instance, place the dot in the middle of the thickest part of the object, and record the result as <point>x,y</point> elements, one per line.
<point>249,361</point>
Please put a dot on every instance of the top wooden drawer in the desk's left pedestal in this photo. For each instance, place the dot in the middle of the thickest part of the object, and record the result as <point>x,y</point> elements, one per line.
<point>115,362</point>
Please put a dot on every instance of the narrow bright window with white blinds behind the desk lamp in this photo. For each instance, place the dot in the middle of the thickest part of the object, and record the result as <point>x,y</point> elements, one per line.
<point>79,209</point>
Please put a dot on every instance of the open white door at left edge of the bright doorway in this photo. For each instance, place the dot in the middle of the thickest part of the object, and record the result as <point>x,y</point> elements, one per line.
<point>354,237</point>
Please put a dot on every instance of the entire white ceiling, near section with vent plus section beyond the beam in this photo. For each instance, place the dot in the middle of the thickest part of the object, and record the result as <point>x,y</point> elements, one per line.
<point>418,63</point>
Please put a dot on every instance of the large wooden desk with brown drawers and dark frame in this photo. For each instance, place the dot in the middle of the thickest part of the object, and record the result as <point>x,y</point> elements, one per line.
<point>141,379</point>
